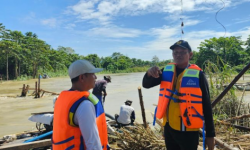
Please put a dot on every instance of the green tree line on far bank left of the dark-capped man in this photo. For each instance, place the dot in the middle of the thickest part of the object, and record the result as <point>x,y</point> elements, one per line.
<point>27,55</point>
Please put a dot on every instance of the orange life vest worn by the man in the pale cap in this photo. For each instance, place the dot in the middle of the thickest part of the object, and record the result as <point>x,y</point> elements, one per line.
<point>66,134</point>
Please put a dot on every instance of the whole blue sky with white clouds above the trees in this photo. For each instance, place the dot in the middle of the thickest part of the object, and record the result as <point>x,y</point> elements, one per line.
<point>136,28</point>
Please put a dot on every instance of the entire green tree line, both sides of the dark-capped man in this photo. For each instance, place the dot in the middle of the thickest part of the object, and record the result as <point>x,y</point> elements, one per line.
<point>27,55</point>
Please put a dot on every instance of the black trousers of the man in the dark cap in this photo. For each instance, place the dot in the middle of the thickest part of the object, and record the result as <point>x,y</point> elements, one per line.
<point>179,140</point>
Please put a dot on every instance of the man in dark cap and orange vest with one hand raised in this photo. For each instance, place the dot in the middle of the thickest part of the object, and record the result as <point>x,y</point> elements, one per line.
<point>184,100</point>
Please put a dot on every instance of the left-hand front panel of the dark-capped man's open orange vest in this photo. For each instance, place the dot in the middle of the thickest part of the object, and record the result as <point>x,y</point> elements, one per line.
<point>166,83</point>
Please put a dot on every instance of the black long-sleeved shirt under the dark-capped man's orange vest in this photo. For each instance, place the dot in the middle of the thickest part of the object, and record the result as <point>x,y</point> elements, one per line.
<point>149,82</point>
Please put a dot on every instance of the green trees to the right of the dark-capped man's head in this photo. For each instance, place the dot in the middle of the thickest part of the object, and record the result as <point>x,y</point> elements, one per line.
<point>229,50</point>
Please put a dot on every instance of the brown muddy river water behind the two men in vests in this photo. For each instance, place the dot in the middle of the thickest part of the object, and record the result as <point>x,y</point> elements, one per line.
<point>15,111</point>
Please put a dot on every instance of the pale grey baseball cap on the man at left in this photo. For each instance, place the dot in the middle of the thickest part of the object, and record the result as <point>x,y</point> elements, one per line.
<point>80,67</point>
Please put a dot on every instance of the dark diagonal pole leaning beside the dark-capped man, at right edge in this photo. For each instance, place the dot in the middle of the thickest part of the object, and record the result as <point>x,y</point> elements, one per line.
<point>230,85</point>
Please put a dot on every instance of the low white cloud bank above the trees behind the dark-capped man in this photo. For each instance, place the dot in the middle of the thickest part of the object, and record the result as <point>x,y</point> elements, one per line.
<point>166,36</point>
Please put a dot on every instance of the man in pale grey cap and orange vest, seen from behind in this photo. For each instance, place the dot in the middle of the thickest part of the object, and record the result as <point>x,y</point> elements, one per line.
<point>79,118</point>
